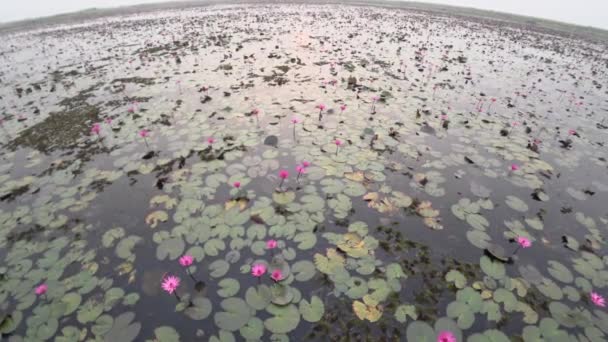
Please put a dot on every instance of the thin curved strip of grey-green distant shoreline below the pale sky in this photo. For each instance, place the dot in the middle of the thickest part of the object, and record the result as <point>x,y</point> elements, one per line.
<point>529,23</point>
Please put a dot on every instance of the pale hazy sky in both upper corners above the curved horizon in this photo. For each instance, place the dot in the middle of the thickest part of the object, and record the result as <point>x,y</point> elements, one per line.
<point>583,12</point>
